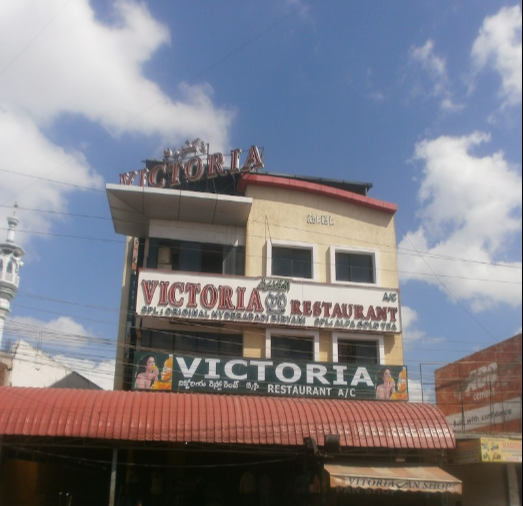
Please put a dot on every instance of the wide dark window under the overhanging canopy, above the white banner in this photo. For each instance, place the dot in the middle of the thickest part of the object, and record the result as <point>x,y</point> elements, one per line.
<point>189,256</point>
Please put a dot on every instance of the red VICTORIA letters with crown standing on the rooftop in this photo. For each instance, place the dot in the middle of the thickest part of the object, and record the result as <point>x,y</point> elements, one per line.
<point>193,163</point>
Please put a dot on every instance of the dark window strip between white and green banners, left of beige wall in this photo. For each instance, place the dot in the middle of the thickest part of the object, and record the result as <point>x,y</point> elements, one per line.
<point>194,343</point>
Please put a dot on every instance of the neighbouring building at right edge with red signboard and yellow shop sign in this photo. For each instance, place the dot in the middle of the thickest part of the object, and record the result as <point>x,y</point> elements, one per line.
<point>481,398</point>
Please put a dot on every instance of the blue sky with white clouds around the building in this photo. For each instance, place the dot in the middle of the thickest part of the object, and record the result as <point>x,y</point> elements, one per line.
<point>423,99</point>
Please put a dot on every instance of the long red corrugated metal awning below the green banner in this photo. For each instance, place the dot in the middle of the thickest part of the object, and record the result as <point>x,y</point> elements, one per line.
<point>220,419</point>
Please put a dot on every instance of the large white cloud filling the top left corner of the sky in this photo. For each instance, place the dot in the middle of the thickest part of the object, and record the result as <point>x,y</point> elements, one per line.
<point>65,73</point>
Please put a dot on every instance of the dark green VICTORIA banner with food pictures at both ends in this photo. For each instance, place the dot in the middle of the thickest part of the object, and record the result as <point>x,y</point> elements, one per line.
<point>268,377</point>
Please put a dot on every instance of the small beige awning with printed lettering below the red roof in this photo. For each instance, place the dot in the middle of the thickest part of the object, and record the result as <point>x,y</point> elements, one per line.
<point>431,480</point>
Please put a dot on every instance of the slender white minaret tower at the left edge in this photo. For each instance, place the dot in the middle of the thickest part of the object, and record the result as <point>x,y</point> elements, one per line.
<point>10,263</point>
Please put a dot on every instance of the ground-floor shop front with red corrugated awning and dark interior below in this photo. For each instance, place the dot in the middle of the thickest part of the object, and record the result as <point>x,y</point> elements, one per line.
<point>197,449</point>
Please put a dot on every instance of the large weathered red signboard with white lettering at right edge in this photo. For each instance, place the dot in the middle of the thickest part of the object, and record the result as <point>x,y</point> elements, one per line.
<point>482,393</point>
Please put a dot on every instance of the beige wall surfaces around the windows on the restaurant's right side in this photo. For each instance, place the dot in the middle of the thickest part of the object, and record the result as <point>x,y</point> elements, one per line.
<point>282,215</point>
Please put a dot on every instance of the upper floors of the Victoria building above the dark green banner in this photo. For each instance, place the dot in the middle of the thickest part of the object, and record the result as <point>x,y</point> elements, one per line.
<point>332,245</point>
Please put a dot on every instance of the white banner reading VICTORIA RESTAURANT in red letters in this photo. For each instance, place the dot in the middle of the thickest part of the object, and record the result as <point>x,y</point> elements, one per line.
<point>279,302</point>
